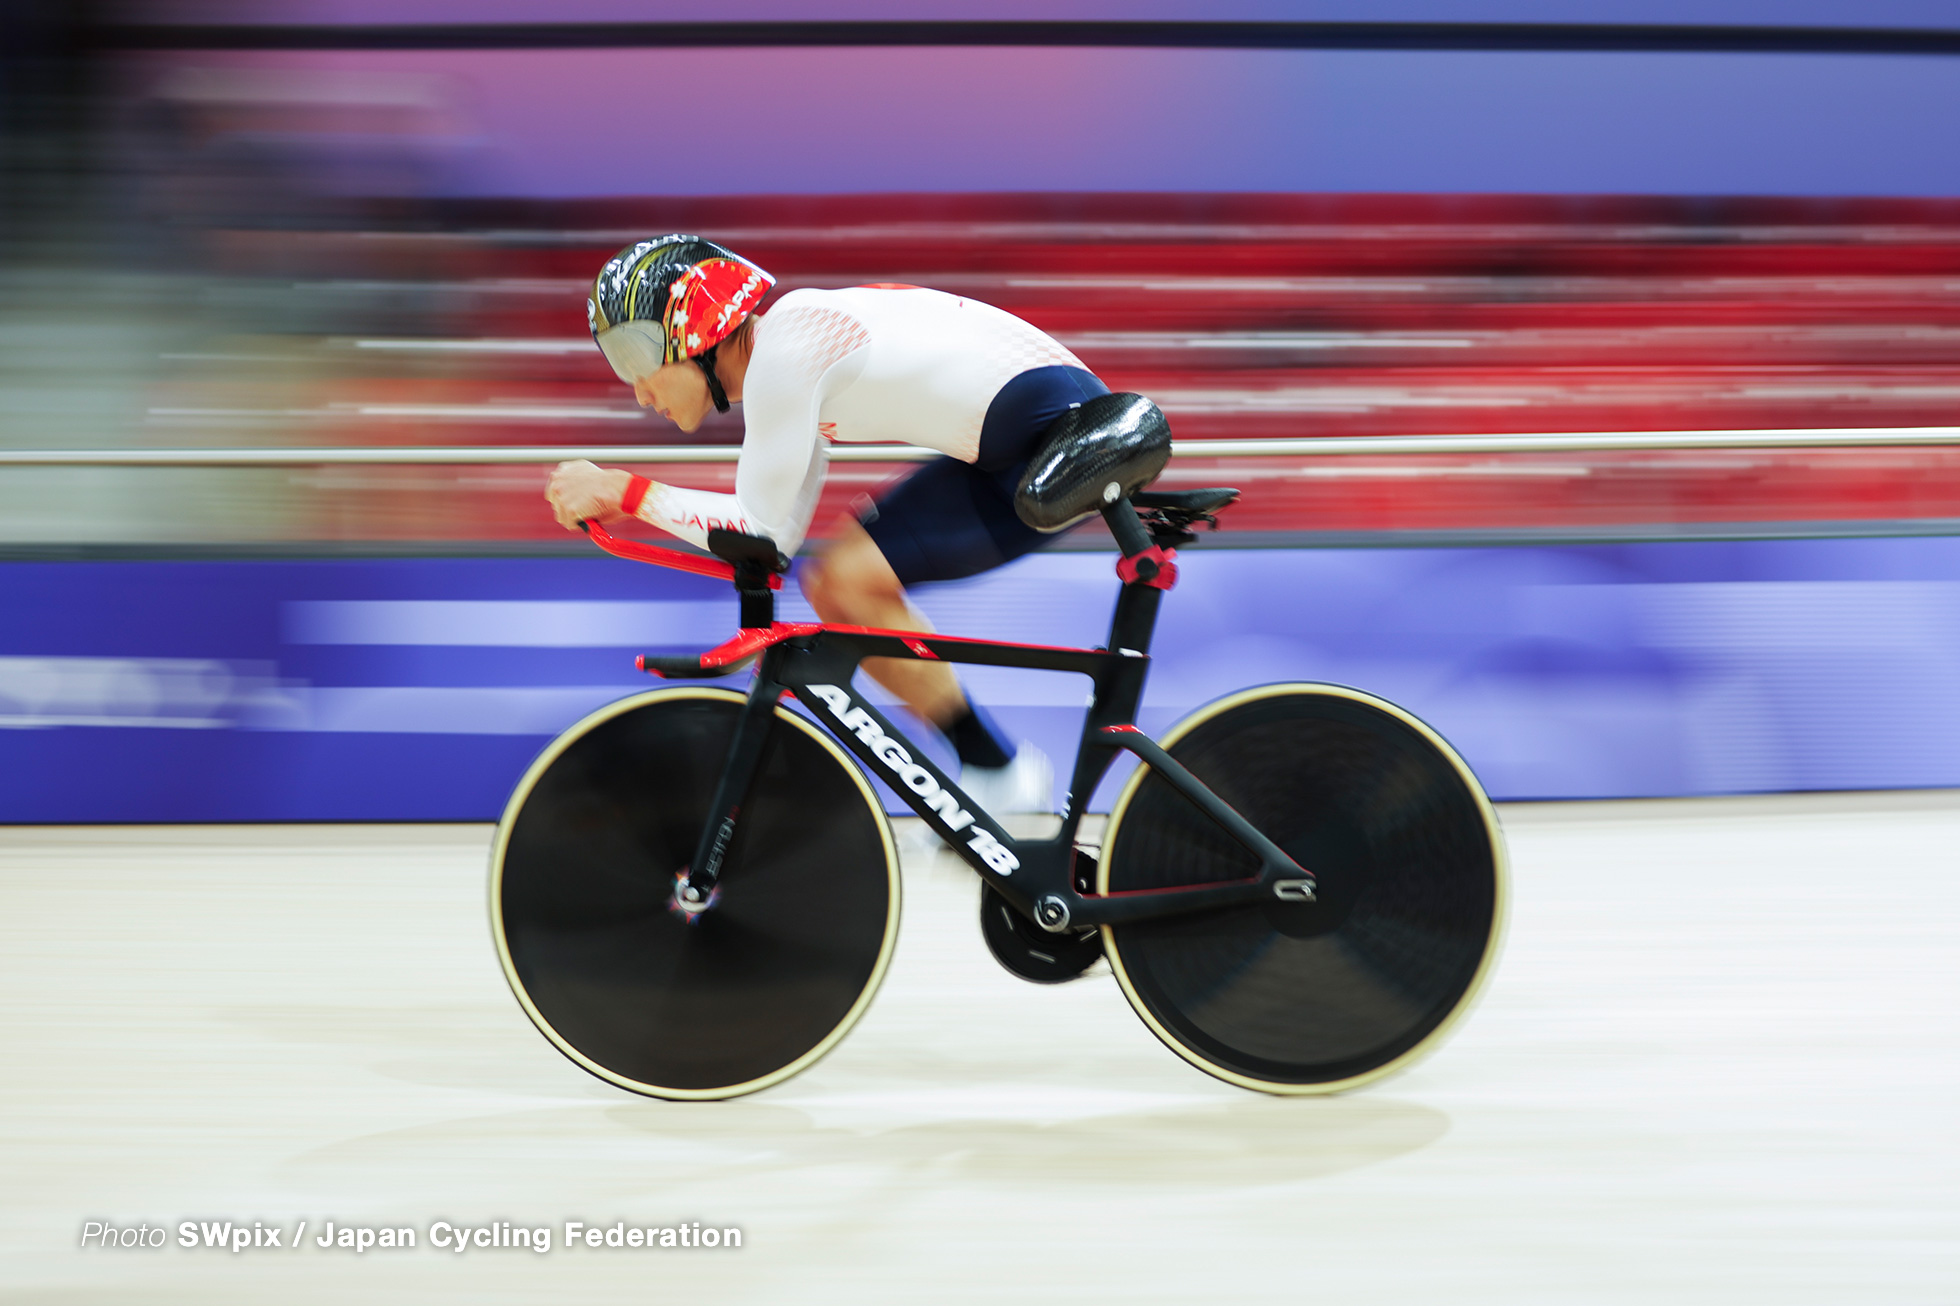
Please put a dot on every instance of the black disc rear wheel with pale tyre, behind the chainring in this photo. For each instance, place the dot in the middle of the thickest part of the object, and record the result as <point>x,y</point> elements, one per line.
<point>1310,997</point>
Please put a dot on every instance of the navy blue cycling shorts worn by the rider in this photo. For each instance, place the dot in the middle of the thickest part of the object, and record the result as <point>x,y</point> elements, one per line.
<point>952,519</point>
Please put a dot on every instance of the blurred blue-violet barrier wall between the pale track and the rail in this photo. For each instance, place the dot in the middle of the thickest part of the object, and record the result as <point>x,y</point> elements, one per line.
<point>418,689</point>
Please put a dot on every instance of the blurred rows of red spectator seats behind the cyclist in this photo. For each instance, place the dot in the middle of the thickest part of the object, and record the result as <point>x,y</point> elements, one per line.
<point>1246,317</point>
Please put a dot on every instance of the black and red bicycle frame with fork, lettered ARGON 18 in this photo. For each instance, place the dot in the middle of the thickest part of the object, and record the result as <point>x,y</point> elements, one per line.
<point>1044,879</point>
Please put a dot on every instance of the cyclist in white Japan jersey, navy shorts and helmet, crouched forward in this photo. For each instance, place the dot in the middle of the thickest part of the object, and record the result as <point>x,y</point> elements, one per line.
<point>677,319</point>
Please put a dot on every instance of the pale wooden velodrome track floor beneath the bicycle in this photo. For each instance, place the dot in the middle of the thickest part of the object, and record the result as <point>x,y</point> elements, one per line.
<point>1718,1064</point>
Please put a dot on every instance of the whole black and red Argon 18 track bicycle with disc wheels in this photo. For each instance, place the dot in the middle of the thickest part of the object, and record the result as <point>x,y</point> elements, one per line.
<point>695,891</point>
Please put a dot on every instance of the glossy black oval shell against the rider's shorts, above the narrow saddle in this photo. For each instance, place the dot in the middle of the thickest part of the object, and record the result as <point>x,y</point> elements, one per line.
<point>1093,456</point>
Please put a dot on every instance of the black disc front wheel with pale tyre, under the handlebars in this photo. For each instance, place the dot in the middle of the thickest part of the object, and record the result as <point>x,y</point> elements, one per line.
<point>726,1001</point>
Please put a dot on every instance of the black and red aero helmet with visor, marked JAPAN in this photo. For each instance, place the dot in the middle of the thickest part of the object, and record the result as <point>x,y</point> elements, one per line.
<point>669,299</point>
